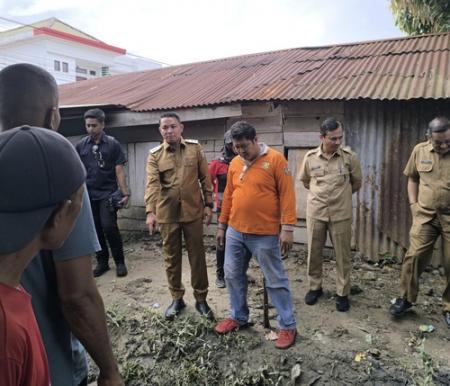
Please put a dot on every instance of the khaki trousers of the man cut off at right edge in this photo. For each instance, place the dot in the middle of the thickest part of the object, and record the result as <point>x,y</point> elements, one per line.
<point>422,238</point>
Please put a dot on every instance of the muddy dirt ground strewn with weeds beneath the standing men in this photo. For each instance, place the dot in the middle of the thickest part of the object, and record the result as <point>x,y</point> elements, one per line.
<point>364,346</point>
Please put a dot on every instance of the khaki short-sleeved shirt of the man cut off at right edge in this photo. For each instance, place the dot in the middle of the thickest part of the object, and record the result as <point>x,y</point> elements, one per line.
<point>432,172</point>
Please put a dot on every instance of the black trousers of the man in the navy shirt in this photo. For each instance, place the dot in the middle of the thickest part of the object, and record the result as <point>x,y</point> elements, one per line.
<point>105,219</point>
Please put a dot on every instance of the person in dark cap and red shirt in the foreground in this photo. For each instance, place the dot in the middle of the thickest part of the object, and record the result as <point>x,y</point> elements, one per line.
<point>30,220</point>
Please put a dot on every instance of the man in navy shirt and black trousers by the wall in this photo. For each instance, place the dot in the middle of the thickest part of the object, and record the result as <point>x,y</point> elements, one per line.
<point>104,160</point>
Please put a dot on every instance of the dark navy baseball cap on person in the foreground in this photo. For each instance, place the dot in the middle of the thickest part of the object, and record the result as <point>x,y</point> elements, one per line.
<point>39,169</point>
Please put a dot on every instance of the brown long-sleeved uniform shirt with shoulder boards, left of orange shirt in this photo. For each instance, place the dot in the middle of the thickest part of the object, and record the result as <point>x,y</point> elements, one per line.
<point>173,189</point>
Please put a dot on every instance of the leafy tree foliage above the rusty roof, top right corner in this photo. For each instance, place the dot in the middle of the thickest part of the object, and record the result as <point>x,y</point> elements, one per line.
<point>417,17</point>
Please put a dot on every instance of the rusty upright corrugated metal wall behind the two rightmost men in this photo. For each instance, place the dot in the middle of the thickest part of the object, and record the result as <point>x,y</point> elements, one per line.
<point>383,133</point>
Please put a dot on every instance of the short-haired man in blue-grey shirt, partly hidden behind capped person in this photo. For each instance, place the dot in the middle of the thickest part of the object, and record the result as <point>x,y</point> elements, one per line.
<point>65,297</point>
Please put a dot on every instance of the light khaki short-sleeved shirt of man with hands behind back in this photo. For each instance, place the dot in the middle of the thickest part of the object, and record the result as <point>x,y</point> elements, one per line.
<point>330,183</point>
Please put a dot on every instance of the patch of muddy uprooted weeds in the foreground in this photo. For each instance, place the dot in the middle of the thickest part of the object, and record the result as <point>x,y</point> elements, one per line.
<point>153,351</point>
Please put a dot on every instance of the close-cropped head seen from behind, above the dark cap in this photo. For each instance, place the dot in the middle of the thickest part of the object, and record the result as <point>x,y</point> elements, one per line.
<point>28,96</point>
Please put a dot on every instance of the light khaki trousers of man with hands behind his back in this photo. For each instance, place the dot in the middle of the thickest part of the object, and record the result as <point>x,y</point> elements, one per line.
<point>341,235</point>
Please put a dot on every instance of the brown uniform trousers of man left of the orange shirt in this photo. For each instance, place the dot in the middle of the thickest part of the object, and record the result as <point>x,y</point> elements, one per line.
<point>171,234</point>
